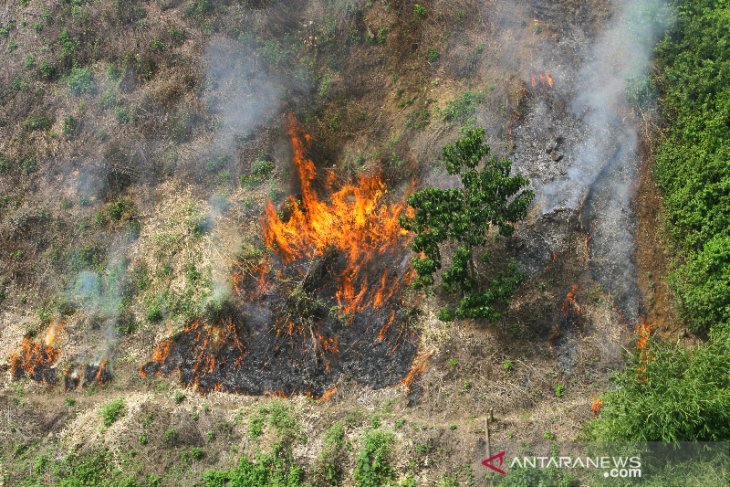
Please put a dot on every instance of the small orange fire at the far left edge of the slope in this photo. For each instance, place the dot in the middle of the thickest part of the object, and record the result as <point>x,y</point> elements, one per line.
<point>37,358</point>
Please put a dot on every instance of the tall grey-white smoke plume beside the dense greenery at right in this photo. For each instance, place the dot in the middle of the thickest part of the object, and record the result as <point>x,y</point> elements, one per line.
<point>603,172</point>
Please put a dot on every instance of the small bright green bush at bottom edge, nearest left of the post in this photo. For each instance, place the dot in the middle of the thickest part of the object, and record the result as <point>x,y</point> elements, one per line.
<point>372,464</point>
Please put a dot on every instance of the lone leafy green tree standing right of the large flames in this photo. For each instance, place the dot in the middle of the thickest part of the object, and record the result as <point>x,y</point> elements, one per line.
<point>489,197</point>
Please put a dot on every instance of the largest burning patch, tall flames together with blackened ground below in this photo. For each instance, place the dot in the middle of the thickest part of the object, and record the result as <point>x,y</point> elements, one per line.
<point>324,304</point>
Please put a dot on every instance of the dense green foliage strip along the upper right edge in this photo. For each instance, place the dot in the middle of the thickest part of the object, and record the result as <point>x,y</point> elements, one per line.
<point>692,166</point>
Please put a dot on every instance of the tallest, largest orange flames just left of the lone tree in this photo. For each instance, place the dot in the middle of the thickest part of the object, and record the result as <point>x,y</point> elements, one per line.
<point>355,220</point>
